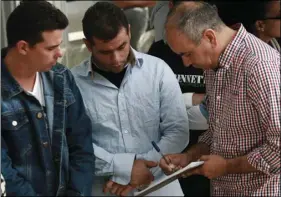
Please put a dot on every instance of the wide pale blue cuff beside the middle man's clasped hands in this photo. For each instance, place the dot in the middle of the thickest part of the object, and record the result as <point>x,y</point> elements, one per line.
<point>122,167</point>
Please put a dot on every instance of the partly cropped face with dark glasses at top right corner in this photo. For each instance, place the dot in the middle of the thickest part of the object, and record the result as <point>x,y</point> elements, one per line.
<point>270,26</point>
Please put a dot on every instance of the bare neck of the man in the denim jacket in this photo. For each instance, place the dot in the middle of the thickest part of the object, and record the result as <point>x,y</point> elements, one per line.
<point>20,70</point>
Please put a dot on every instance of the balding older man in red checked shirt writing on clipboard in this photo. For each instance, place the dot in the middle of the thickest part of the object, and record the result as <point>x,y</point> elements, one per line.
<point>241,148</point>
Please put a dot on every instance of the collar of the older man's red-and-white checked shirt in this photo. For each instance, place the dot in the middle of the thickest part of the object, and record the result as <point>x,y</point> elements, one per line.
<point>225,59</point>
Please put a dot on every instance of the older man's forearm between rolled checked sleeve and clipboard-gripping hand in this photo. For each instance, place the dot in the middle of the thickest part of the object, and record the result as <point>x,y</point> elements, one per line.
<point>239,165</point>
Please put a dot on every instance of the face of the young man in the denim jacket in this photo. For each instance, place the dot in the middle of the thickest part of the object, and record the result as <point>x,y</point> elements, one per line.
<point>44,55</point>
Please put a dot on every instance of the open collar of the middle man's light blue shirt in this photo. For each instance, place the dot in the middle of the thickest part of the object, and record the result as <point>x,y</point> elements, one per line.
<point>134,58</point>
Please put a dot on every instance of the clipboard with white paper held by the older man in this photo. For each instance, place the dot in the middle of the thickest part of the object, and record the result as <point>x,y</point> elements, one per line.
<point>167,179</point>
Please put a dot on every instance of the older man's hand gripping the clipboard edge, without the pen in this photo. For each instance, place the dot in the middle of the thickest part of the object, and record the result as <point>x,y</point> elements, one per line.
<point>214,166</point>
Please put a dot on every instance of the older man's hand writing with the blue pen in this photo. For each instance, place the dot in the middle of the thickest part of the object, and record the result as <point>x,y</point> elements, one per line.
<point>177,161</point>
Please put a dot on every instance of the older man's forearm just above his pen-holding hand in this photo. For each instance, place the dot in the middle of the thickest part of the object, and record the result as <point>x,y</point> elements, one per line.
<point>197,150</point>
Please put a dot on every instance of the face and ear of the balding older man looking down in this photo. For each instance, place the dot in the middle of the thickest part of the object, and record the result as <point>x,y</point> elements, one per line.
<point>198,55</point>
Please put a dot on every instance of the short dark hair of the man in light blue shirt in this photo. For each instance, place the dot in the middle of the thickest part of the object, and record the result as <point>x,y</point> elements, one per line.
<point>103,21</point>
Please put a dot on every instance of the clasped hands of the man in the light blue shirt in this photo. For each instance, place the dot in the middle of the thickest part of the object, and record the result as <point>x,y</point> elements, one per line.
<point>140,176</point>
